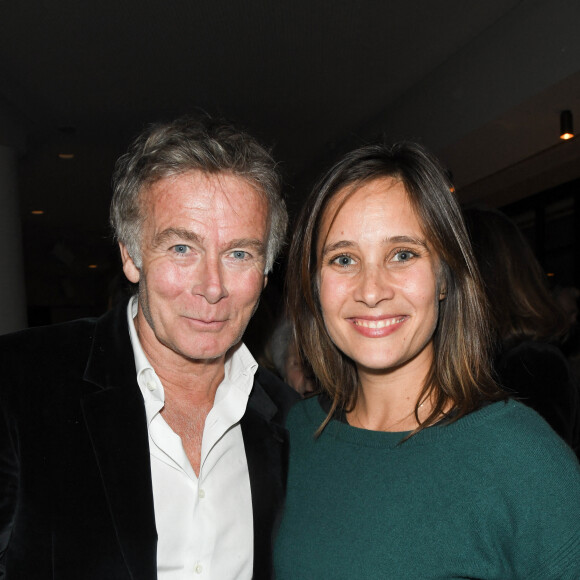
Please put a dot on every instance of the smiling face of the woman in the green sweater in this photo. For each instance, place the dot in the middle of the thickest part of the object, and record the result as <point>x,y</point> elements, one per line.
<point>378,279</point>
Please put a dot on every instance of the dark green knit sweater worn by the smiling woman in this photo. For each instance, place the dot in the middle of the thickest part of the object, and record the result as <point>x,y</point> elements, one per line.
<point>494,495</point>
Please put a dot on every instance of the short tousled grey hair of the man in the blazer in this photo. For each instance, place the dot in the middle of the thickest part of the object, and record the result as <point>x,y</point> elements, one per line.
<point>203,144</point>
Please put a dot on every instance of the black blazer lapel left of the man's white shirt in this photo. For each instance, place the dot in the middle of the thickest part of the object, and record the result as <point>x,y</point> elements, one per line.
<point>116,420</point>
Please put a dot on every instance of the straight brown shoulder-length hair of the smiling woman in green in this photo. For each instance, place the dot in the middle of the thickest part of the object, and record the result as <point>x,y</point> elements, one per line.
<point>460,377</point>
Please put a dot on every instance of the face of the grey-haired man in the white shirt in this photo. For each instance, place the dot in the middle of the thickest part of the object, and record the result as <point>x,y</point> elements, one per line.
<point>203,255</point>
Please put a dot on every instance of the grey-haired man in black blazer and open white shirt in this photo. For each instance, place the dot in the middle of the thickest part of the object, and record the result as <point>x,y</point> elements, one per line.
<point>147,443</point>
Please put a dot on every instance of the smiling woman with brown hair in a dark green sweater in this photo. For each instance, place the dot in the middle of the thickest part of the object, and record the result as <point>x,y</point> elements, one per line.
<point>411,464</point>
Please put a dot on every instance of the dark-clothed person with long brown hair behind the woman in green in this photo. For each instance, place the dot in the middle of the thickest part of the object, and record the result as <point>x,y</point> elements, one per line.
<point>528,324</point>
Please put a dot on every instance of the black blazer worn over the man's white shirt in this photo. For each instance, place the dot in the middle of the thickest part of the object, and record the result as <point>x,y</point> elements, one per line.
<point>76,498</point>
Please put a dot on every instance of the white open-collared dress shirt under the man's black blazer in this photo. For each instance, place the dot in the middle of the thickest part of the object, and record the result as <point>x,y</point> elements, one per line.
<point>204,524</point>
